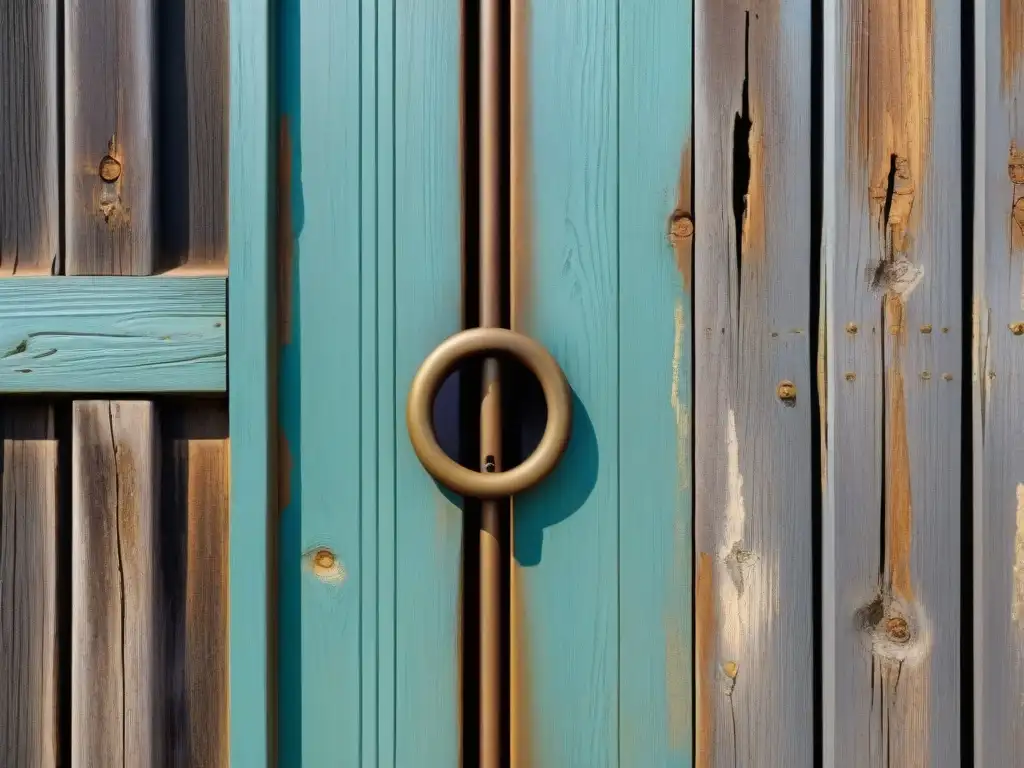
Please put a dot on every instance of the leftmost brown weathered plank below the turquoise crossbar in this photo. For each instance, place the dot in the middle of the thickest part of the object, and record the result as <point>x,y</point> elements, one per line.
<point>29,587</point>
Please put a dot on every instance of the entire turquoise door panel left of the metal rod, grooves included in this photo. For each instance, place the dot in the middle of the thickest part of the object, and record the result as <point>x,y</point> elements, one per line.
<point>369,125</point>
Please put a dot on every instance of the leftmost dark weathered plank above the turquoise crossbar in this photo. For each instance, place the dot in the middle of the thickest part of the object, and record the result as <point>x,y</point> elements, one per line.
<point>29,138</point>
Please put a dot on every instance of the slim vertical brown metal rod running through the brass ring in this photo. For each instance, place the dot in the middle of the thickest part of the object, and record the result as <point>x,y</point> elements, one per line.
<point>492,626</point>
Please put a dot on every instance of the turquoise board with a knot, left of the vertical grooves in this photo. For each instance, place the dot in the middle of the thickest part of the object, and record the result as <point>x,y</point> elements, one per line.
<point>322,377</point>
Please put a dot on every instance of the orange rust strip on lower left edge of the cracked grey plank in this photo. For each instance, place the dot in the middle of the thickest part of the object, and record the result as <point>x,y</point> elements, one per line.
<point>705,654</point>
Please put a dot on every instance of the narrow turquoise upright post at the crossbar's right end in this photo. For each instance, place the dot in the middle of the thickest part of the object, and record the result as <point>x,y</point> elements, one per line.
<point>253,437</point>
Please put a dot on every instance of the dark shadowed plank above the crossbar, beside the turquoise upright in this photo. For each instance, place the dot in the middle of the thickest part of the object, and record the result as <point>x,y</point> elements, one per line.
<point>193,44</point>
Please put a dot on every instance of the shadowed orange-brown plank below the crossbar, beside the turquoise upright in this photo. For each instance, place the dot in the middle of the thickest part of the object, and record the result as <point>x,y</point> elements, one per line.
<point>194,570</point>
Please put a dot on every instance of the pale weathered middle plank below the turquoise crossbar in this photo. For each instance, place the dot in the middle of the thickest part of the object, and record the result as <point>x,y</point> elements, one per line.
<point>117,674</point>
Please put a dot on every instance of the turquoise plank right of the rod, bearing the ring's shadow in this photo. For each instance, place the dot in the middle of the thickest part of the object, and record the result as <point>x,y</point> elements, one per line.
<point>566,540</point>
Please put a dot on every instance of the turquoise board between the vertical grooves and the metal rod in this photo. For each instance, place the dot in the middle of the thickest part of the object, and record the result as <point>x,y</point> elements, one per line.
<point>421,307</point>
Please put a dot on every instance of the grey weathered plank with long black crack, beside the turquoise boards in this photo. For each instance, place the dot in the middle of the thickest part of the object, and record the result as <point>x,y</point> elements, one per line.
<point>753,378</point>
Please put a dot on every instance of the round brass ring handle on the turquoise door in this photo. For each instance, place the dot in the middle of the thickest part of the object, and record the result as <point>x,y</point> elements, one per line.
<point>419,416</point>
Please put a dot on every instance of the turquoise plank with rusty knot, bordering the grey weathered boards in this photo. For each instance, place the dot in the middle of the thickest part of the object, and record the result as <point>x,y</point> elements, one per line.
<point>655,385</point>
